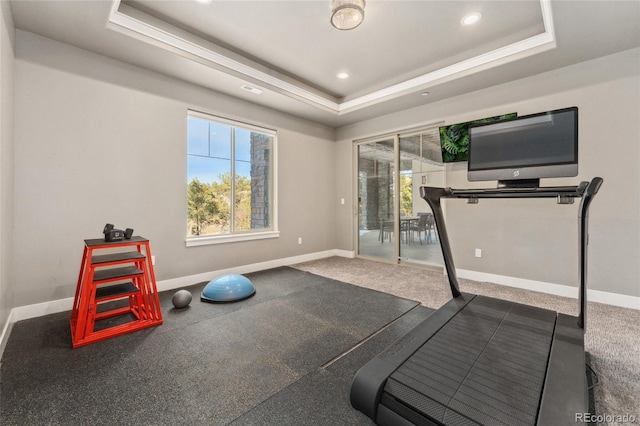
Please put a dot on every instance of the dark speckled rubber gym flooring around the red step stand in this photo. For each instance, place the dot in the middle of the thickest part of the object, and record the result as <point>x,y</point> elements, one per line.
<point>257,361</point>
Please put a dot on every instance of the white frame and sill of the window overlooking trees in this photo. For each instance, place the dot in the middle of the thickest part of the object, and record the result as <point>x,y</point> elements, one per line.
<point>245,235</point>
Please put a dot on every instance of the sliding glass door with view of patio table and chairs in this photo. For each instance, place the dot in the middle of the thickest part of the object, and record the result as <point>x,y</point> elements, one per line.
<point>394,223</point>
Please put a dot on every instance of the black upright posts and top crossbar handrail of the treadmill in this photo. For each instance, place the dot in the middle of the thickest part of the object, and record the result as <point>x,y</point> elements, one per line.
<point>585,190</point>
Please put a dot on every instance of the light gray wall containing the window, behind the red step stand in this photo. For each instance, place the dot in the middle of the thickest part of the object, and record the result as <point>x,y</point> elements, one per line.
<point>100,141</point>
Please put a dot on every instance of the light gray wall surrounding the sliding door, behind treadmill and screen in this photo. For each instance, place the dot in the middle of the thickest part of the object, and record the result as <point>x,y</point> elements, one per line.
<point>537,239</point>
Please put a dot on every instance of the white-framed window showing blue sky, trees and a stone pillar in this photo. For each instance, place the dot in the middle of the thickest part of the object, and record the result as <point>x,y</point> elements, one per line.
<point>230,180</point>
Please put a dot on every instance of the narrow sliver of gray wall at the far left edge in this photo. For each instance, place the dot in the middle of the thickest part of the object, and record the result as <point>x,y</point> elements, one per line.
<point>7,60</point>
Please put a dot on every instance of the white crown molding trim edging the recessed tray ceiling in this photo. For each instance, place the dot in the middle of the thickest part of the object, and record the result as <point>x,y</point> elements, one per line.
<point>137,24</point>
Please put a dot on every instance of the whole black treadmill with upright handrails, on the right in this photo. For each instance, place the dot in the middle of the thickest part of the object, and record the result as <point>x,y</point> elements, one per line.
<point>484,361</point>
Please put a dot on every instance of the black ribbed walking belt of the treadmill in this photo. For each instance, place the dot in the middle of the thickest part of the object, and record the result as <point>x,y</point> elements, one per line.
<point>485,366</point>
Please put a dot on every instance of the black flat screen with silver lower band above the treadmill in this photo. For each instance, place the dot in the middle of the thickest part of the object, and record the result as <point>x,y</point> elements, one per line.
<point>520,151</point>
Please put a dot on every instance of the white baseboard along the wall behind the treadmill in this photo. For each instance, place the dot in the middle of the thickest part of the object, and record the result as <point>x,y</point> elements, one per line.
<point>614,299</point>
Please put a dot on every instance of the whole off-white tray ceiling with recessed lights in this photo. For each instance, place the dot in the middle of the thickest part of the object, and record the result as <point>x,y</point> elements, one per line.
<point>290,51</point>
